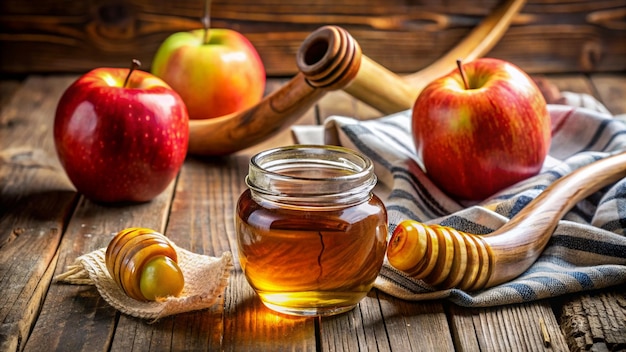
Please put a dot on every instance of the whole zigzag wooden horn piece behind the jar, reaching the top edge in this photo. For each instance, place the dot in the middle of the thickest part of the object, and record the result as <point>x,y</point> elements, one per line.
<point>330,59</point>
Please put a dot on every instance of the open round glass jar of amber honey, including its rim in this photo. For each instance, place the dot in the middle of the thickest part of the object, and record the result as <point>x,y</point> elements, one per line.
<point>311,235</point>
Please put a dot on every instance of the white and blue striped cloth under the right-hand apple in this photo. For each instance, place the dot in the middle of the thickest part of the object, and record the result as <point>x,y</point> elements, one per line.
<point>586,252</point>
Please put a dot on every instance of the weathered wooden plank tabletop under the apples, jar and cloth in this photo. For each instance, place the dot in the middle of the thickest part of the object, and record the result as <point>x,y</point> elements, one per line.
<point>45,224</point>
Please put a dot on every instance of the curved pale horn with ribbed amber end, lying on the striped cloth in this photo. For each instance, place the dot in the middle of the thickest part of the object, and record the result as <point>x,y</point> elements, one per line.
<point>446,258</point>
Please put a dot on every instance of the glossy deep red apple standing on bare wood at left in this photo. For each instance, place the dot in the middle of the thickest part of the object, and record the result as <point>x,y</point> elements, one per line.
<point>121,141</point>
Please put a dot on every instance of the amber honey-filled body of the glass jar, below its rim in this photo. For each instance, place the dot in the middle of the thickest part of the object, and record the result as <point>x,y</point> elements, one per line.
<point>311,258</point>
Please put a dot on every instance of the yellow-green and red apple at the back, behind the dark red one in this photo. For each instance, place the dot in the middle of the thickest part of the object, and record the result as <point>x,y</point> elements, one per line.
<point>216,77</point>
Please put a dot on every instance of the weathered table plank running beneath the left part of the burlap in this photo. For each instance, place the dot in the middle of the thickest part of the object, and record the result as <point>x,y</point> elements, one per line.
<point>76,318</point>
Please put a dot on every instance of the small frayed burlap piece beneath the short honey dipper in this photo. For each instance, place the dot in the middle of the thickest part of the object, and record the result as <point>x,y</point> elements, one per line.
<point>205,280</point>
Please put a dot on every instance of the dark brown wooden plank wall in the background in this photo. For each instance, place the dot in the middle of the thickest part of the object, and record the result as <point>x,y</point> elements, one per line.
<point>548,36</point>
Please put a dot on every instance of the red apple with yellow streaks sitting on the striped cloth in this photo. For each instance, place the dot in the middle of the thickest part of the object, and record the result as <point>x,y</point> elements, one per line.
<point>477,139</point>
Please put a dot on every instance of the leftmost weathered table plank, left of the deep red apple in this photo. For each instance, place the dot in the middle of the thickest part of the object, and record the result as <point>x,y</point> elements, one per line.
<point>36,199</point>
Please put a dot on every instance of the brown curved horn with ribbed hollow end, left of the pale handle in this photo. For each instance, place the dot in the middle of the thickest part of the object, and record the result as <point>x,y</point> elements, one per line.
<point>329,58</point>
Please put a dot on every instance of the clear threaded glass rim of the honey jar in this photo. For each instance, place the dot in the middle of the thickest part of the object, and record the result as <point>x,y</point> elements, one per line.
<point>352,176</point>
